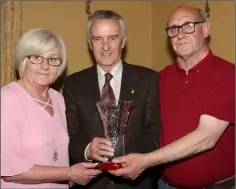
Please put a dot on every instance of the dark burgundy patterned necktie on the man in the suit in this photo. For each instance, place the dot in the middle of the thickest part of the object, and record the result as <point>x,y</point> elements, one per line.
<point>107,93</point>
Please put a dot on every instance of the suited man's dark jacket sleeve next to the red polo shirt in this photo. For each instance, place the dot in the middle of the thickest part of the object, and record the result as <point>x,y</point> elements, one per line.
<point>152,118</point>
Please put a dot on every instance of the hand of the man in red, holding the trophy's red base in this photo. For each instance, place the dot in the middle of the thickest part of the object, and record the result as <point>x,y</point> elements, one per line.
<point>133,165</point>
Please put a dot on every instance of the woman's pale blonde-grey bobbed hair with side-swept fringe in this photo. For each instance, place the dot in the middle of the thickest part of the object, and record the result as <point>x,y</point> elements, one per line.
<point>36,42</point>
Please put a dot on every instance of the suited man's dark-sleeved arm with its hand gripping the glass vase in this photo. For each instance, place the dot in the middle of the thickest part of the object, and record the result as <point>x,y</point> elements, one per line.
<point>80,147</point>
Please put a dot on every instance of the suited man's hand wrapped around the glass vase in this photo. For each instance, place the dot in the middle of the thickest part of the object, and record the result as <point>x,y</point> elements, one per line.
<point>100,149</point>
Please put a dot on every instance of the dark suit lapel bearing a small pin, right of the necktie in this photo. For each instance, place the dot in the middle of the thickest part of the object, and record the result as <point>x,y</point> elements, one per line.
<point>128,82</point>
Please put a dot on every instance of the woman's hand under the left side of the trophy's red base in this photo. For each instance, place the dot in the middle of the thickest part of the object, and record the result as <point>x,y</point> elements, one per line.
<point>83,173</point>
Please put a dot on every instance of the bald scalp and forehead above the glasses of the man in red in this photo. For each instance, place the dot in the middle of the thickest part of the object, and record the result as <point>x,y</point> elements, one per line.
<point>186,11</point>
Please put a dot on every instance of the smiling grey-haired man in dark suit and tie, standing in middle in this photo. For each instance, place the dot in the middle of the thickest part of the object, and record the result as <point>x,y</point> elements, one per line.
<point>82,90</point>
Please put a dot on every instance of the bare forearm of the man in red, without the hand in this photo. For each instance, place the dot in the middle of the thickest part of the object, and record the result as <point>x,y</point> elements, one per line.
<point>203,138</point>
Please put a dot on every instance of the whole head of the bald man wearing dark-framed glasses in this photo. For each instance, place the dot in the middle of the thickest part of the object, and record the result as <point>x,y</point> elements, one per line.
<point>187,31</point>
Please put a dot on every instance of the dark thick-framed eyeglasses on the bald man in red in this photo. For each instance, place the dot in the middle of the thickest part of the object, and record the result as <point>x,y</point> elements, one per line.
<point>187,28</point>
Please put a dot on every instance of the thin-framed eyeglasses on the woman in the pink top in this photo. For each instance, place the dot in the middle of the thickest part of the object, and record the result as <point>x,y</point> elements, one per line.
<point>35,59</point>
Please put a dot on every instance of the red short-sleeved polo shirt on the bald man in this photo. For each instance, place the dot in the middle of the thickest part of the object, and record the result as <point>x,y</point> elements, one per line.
<point>209,88</point>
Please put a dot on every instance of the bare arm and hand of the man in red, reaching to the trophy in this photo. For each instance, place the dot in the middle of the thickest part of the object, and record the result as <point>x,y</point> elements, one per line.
<point>203,138</point>
